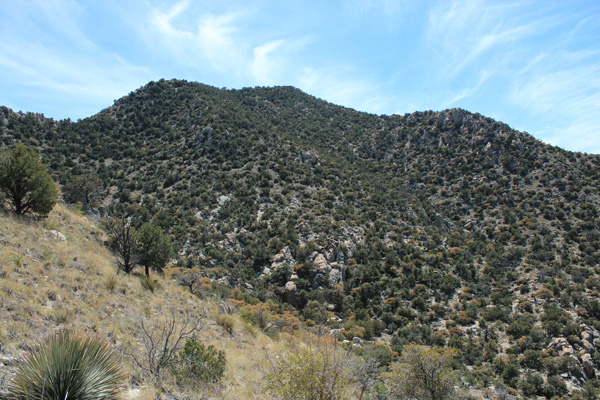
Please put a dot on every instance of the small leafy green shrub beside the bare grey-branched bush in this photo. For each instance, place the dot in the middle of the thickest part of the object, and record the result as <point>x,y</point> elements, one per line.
<point>198,363</point>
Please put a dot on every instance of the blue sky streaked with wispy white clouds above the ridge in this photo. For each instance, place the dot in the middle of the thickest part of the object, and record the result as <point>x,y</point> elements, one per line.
<point>534,65</point>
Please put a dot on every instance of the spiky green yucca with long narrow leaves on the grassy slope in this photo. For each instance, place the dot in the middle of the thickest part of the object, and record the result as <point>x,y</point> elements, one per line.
<point>68,367</point>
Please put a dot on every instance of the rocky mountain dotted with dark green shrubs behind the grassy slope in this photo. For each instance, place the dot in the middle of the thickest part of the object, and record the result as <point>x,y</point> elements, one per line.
<point>445,228</point>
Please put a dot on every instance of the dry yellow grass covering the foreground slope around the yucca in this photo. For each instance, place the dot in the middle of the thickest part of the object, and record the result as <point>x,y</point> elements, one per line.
<point>47,284</point>
